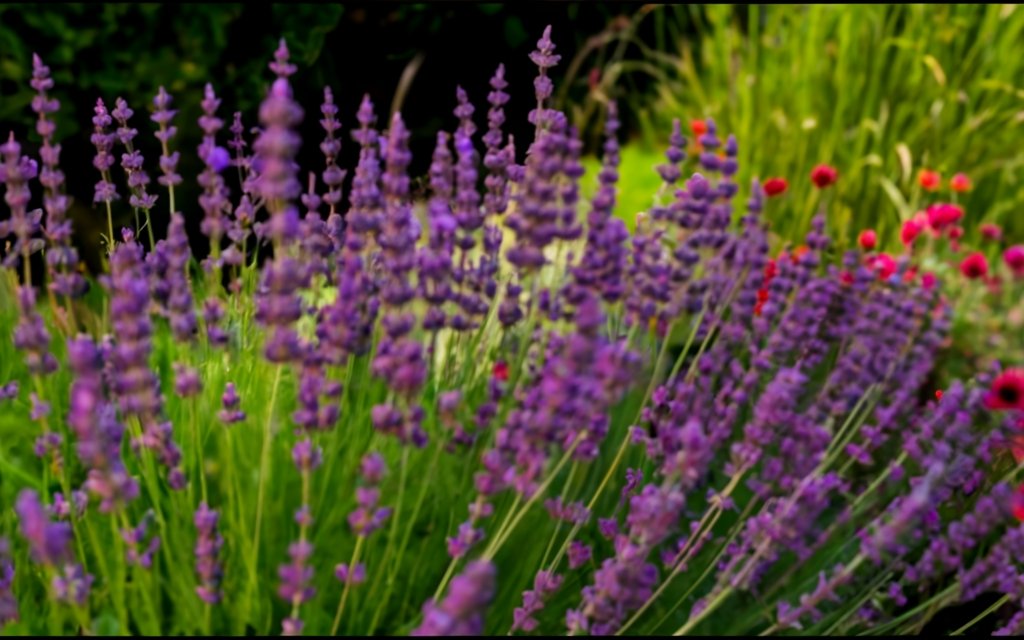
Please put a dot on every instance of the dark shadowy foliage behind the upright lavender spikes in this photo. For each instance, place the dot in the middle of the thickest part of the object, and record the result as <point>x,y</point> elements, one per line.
<point>129,51</point>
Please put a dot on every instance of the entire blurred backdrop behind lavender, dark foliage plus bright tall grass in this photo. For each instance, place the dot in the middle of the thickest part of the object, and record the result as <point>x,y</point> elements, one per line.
<point>879,92</point>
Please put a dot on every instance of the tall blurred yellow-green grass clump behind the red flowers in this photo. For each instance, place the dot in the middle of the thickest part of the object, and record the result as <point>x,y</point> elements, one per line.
<point>879,92</point>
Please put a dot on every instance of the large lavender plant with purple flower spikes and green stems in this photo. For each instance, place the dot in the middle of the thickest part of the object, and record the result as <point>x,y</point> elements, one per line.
<point>495,411</point>
